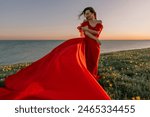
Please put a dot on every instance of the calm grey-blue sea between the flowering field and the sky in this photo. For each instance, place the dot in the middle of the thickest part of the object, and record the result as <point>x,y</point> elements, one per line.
<point>16,51</point>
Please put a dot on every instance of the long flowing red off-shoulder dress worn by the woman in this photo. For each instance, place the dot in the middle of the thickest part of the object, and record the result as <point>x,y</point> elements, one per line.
<point>68,72</point>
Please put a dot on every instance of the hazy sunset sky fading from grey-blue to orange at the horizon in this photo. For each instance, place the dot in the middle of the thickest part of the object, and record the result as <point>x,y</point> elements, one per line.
<point>58,19</point>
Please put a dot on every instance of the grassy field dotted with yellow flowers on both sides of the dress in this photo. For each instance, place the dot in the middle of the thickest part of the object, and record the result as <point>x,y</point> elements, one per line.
<point>124,74</point>
